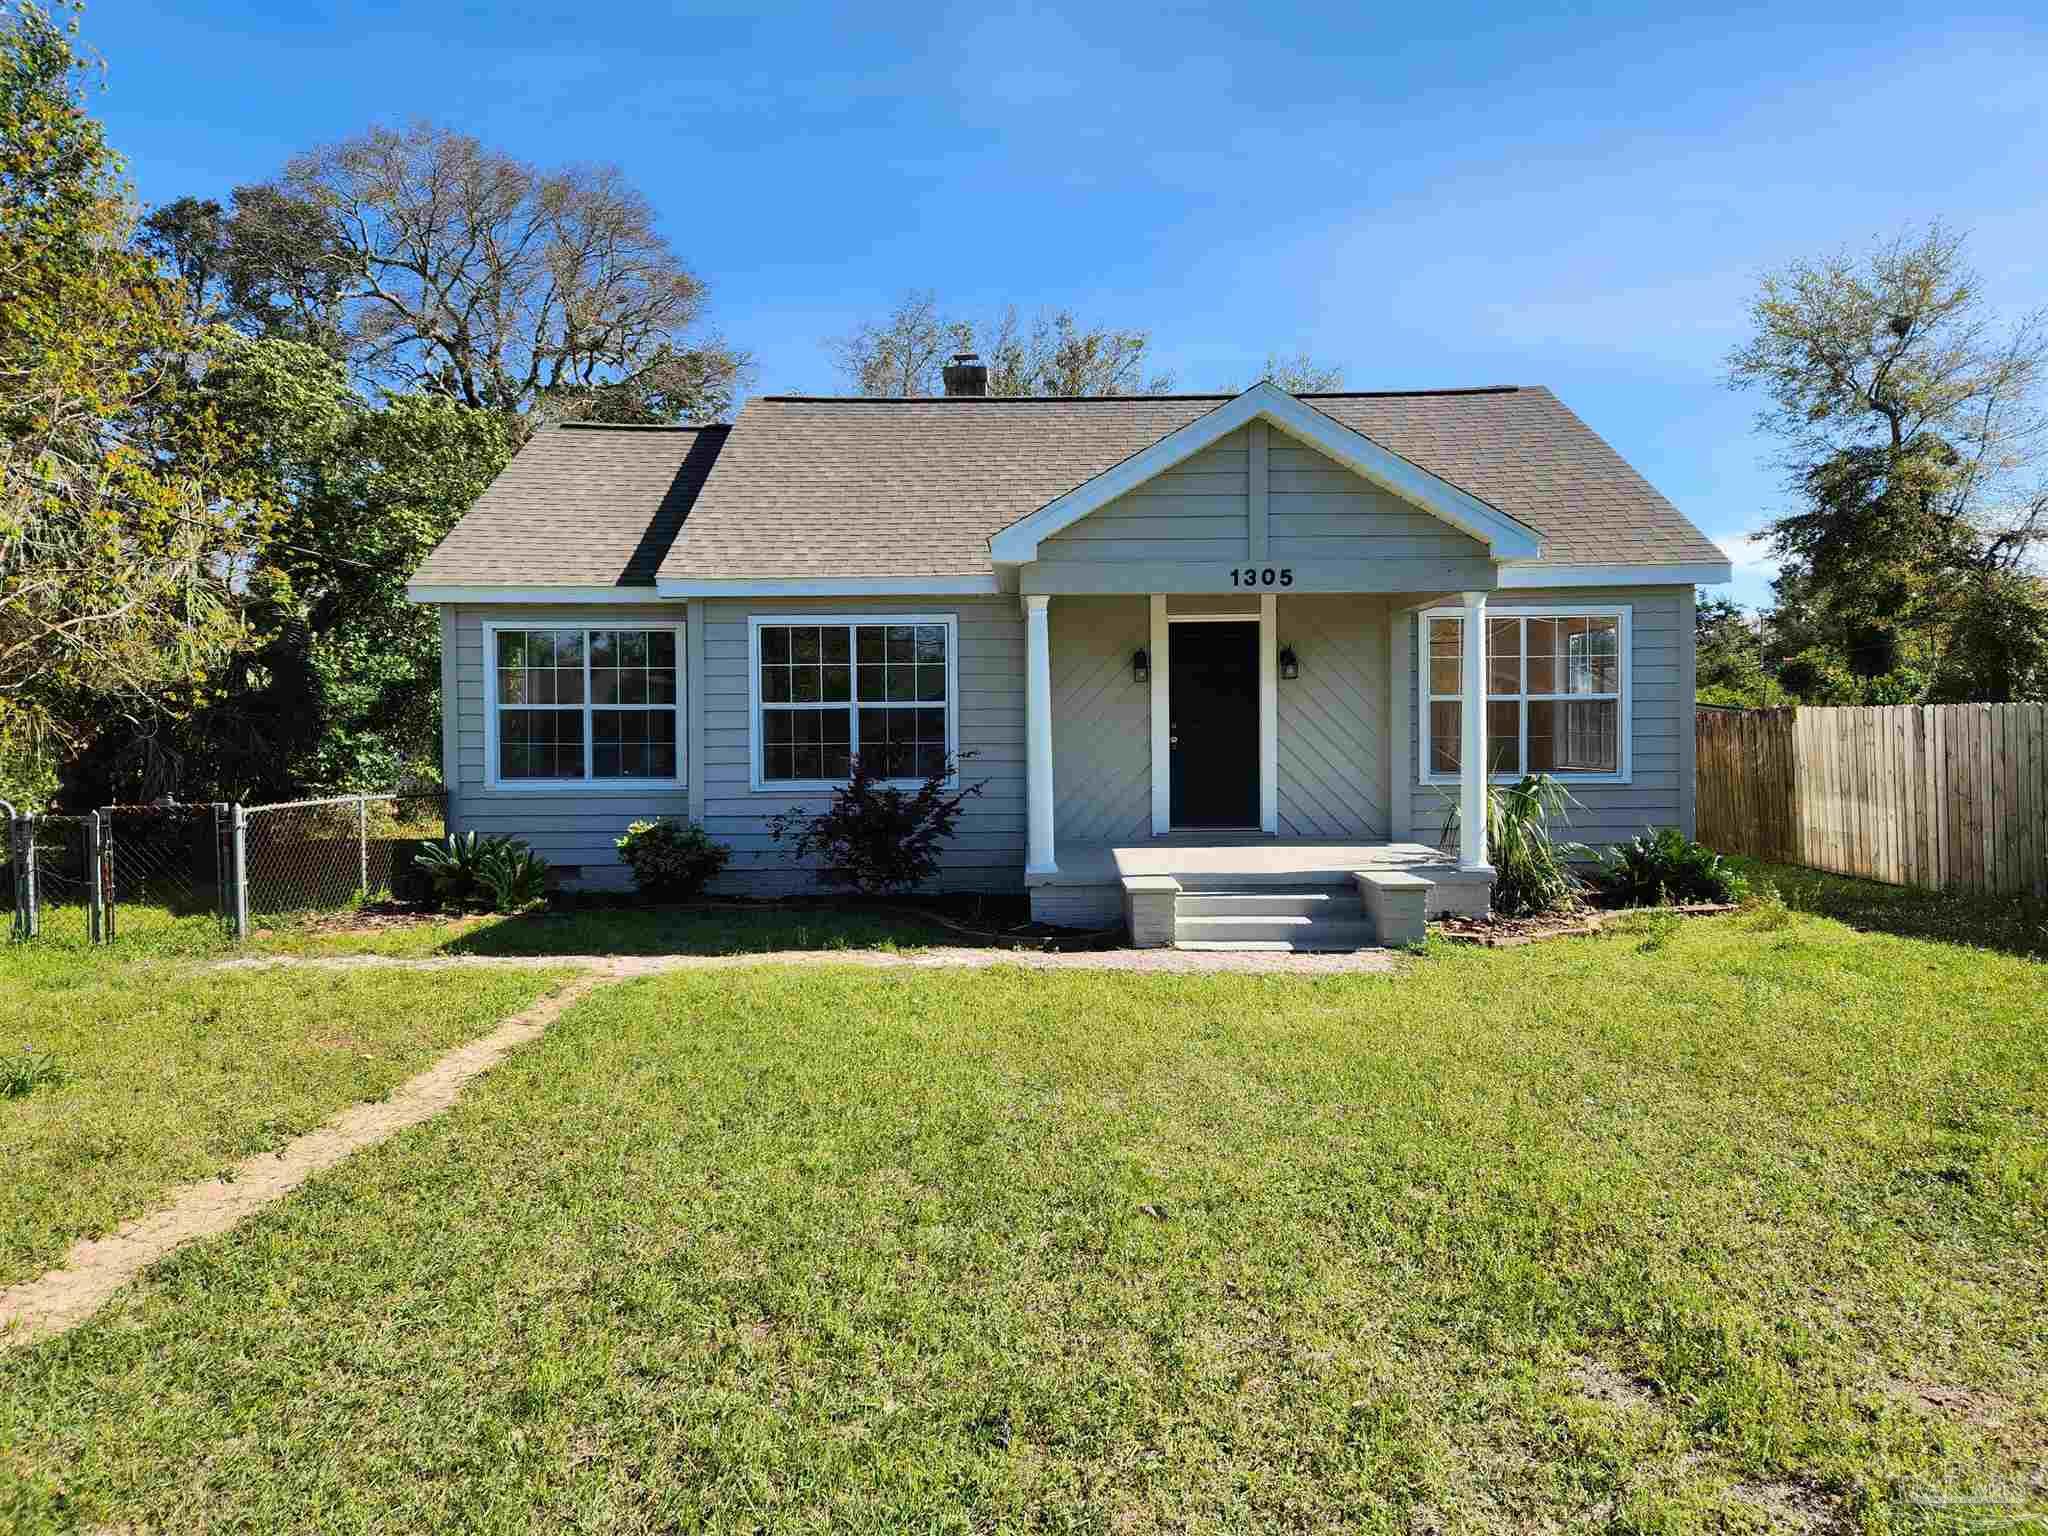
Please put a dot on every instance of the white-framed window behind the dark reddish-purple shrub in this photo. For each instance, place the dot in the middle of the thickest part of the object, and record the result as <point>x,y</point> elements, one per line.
<point>833,689</point>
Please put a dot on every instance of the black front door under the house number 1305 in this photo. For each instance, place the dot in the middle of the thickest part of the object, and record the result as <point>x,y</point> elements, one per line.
<point>1213,701</point>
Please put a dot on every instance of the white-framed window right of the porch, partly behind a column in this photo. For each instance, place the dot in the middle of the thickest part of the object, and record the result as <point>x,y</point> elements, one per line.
<point>1558,693</point>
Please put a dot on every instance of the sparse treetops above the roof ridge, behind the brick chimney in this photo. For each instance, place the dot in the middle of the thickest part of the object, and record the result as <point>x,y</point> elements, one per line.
<point>904,355</point>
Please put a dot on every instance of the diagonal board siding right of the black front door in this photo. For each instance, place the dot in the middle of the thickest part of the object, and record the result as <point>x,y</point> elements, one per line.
<point>1332,718</point>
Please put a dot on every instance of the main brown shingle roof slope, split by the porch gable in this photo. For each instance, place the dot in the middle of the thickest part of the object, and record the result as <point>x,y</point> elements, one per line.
<point>880,488</point>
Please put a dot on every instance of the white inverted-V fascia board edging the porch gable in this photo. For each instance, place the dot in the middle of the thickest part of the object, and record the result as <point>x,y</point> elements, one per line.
<point>1359,454</point>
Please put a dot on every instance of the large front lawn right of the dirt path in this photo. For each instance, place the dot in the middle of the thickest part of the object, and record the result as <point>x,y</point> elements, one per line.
<point>1684,1230</point>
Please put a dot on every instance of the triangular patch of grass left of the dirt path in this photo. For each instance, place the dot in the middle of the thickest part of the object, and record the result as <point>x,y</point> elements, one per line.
<point>126,1074</point>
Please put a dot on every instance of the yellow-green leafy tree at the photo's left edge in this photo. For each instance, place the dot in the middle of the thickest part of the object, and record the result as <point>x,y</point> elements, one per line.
<point>116,564</point>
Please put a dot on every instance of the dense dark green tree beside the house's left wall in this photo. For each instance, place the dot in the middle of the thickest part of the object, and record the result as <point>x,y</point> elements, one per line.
<point>339,683</point>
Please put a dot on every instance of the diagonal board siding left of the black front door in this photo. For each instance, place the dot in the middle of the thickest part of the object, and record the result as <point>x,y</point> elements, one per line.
<point>1101,720</point>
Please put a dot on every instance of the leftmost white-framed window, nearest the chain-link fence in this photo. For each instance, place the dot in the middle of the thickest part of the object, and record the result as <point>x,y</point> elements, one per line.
<point>583,706</point>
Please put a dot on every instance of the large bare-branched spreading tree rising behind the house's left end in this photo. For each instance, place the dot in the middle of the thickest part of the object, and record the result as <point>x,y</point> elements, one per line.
<point>437,263</point>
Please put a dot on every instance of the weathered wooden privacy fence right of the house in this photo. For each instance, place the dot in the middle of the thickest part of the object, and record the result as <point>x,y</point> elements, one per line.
<point>1938,796</point>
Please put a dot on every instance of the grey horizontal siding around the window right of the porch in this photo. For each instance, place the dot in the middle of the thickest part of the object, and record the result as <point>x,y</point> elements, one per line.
<point>1662,726</point>
